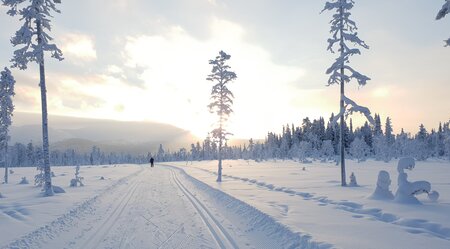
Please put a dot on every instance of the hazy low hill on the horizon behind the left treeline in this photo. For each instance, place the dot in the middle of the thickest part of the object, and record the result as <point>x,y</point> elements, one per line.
<point>109,135</point>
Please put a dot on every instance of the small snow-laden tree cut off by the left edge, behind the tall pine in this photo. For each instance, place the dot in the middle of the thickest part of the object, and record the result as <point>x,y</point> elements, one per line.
<point>6,93</point>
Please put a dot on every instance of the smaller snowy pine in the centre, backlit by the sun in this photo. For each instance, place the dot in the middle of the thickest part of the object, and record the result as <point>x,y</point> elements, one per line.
<point>222,99</point>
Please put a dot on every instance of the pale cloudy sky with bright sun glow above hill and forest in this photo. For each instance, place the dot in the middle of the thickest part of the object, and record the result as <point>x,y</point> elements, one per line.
<point>147,60</point>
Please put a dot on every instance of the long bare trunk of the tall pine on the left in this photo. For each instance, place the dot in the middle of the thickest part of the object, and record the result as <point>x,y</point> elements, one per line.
<point>47,176</point>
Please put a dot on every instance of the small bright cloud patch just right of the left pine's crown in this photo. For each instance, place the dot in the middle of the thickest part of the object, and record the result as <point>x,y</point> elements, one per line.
<point>78,46</point>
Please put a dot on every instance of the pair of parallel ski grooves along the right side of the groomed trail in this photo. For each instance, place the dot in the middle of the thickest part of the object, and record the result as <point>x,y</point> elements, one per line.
<point>222,237</point>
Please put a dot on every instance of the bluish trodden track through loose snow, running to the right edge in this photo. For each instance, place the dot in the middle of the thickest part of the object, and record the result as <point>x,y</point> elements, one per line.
<point>414,226</point>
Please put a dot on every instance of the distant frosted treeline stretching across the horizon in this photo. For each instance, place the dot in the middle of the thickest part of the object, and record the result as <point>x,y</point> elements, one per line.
<point>314,139</point>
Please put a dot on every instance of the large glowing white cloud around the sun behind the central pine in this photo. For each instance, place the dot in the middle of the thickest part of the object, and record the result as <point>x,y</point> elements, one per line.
<point>175,78</point>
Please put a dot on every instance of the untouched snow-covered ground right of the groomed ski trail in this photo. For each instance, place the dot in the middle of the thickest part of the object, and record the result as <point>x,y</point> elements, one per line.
<point>312,202</point>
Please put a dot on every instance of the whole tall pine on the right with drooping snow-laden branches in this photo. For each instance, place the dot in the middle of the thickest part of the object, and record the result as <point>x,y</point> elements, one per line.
<point>343,32</point>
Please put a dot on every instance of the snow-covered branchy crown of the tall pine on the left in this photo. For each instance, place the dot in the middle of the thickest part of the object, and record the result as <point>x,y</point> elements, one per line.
<point>33,37</point>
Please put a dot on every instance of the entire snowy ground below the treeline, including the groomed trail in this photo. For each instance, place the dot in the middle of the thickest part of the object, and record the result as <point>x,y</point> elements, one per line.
<point>258,205</point>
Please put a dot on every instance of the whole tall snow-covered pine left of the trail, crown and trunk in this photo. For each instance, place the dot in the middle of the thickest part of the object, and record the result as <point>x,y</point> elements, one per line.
<point>34,39</point>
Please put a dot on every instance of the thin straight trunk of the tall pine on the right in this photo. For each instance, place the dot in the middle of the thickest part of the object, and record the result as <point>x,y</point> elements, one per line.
<point>341,132</point>
